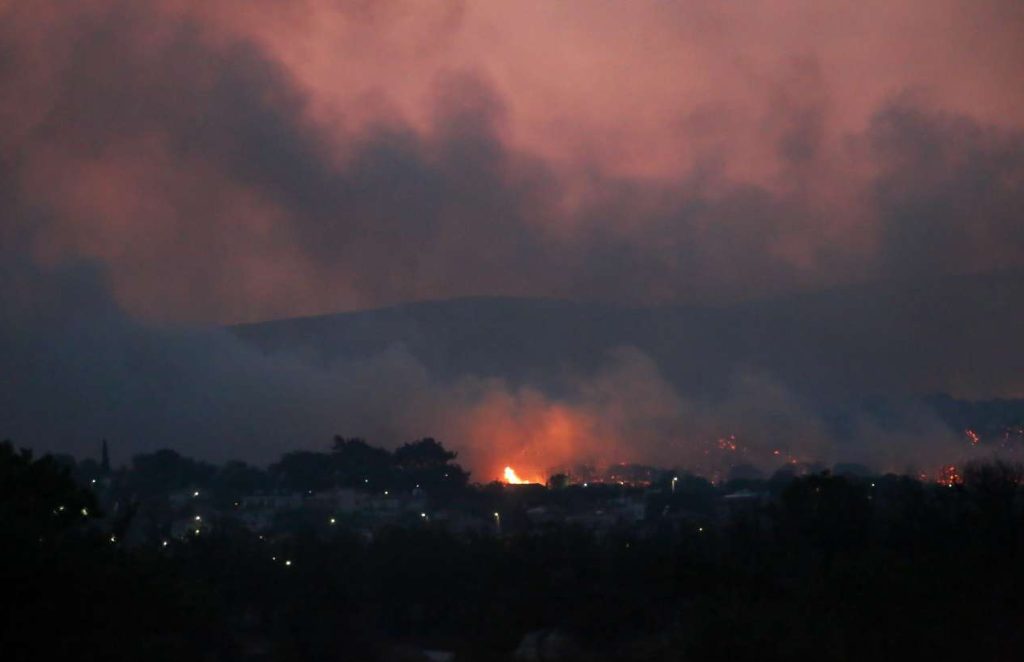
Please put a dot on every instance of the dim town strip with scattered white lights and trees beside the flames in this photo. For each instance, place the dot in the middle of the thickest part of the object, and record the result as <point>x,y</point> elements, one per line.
<point>164,498</point>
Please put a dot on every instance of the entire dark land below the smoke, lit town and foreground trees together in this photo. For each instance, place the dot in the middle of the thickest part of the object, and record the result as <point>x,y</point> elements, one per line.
<point>360,553</point>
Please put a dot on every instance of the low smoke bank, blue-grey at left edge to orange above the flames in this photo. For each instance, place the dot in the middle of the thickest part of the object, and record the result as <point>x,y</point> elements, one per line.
<point>77,369</point>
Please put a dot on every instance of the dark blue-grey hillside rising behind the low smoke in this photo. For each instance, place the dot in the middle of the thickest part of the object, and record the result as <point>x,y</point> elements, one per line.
<point>847,342</point>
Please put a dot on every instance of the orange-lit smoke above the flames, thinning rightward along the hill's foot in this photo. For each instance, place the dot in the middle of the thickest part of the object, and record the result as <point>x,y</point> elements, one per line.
<point>629,413</point>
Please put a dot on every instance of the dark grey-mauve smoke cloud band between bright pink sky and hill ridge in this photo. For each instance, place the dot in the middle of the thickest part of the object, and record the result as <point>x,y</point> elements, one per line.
<point>191,165</point>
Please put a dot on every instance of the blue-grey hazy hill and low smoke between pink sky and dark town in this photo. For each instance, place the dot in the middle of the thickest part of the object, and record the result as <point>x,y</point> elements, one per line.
<point>542,384</point>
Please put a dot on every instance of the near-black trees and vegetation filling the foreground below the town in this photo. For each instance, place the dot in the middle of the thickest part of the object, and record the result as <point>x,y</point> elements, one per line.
<point>822,567</point>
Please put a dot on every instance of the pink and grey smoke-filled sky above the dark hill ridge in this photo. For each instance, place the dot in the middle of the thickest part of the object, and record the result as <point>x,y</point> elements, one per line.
<point>172,167</point>
